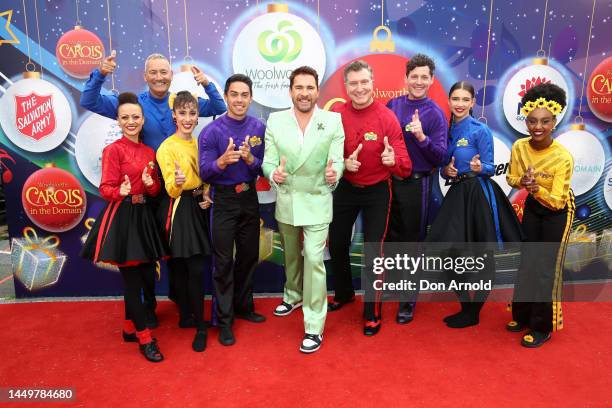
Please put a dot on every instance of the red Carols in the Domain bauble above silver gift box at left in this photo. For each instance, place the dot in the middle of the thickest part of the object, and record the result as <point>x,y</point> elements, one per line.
<point>53,199</point>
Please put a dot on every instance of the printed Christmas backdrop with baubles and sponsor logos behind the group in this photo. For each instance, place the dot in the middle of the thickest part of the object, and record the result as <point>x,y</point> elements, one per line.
<point>51,147</point>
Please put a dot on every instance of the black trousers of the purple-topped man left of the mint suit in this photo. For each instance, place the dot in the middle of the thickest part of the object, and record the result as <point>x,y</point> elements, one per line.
<point>235,222</point>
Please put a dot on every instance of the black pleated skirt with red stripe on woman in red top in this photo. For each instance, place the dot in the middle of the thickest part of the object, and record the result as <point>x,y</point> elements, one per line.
<point>125,234</point>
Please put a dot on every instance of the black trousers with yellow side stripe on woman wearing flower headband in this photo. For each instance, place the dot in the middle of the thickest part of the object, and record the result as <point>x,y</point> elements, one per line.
<point>537,293</point>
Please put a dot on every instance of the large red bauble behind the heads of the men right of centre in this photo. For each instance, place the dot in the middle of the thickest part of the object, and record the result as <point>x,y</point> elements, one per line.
<point>389,73</point>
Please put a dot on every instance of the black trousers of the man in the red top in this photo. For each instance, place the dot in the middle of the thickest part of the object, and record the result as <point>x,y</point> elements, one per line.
<point>373,202</point>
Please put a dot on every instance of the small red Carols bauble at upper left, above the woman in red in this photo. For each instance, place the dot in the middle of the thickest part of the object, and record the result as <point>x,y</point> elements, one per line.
<point>79,51</point>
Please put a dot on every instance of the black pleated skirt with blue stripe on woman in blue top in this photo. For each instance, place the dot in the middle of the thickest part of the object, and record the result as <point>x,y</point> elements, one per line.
<point>467,214</point>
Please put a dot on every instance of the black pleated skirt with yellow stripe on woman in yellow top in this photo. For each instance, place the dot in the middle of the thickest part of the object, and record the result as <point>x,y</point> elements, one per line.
<point>185,225</point>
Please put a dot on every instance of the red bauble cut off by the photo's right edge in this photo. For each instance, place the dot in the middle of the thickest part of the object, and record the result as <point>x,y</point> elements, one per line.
<point>599,90</point>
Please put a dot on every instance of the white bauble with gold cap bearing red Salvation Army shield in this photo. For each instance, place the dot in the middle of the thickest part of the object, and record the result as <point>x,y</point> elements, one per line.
<point>35,114</point>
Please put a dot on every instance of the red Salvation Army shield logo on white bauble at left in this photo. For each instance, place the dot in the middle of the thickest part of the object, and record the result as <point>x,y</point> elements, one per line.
<point>34,115</point>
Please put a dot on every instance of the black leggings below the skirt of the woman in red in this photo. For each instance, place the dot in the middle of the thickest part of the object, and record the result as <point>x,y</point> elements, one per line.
<point>134,278</point>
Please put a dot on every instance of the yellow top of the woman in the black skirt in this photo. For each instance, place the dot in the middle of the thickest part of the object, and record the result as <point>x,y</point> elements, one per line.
<point>185,152</point>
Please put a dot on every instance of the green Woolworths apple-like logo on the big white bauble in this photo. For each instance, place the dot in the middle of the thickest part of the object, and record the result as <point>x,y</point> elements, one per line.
<point>285,45</point>
